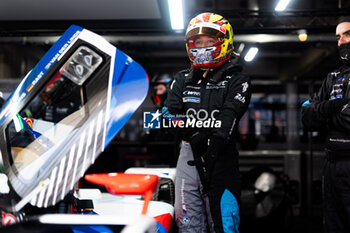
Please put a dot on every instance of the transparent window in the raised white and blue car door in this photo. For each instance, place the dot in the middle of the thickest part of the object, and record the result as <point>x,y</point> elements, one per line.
<point>43,123</point>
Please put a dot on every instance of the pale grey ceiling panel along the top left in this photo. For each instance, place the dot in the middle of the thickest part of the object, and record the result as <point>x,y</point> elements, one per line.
<point>79,10</point>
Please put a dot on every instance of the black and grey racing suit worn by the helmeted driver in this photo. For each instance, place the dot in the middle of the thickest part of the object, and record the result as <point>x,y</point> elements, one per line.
<point>224,95</point>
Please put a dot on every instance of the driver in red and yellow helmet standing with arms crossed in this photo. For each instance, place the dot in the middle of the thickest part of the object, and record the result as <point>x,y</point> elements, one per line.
<point>206,102</point>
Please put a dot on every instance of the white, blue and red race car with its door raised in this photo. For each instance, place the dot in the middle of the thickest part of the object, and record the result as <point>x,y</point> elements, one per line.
<point>55,124</point>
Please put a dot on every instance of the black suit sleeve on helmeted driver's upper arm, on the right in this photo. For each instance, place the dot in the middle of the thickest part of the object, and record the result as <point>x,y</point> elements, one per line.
<point>235,104</point>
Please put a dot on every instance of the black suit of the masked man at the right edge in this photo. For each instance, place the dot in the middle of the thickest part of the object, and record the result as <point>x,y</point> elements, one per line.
<point>330,108</point>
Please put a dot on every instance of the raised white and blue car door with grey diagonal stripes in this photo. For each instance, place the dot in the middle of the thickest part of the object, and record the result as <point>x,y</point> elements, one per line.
<point>71,144</point>
